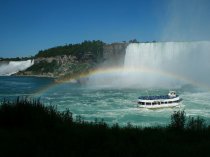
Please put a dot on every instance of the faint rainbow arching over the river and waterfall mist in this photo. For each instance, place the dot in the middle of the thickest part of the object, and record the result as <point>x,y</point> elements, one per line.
<point>106,72</point>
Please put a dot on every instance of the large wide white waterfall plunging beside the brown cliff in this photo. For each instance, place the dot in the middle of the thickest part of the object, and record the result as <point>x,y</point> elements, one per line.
<point>189,60</point>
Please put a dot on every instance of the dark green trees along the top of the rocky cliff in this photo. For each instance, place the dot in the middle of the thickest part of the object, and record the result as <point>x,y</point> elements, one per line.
<point>95,48</point>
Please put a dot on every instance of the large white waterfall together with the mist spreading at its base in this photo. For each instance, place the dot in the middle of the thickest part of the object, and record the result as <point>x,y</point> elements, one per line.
<point>166,65</point>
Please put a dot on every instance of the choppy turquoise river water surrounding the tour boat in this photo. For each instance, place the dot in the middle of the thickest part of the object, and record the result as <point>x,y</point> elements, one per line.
<point>113,105</point>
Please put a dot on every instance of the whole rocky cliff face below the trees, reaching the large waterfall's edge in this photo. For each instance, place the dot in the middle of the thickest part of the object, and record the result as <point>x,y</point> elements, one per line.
<point>67,65</point>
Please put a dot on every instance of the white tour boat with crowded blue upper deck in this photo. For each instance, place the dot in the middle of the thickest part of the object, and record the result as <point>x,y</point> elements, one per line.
<point>153,102</point>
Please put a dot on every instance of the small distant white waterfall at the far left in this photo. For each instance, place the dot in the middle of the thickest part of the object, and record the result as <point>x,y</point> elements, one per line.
<point>12,67</point>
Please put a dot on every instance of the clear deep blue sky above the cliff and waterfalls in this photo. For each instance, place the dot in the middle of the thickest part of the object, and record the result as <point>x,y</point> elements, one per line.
<point>27,26</point>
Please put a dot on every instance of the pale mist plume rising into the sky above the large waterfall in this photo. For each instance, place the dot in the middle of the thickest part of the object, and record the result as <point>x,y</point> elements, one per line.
<point>187,20</point>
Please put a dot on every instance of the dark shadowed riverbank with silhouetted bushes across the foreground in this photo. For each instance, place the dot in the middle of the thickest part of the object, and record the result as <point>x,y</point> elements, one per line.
<point>32,129</point>
